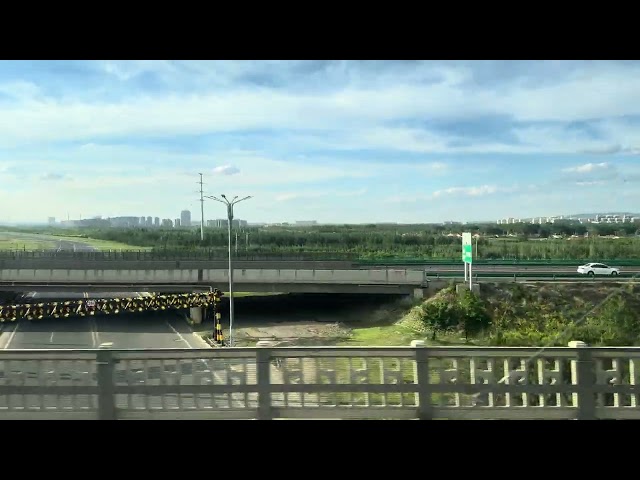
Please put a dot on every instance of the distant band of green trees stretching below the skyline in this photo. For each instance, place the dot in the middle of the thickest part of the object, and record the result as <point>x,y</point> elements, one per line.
<point>523,241</point>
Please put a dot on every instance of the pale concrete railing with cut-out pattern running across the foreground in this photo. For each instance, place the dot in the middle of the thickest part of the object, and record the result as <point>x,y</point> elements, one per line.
<point>328,383</point>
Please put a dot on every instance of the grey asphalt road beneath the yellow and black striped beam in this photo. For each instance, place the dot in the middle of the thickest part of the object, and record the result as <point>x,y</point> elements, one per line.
<point>139,331</point>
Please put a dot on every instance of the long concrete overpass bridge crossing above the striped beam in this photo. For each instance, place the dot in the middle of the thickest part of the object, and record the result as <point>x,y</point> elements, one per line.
<point>374,281</point>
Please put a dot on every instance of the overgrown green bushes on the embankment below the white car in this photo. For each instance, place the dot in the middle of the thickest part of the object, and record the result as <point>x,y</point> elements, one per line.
<point>533,315</point>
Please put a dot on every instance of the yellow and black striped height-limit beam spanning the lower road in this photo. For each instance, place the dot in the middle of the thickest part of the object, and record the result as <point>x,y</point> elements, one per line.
<point>105,306</point>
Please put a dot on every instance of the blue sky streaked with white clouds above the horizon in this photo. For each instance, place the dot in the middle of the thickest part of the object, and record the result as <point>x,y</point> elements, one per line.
<point>331,141</point>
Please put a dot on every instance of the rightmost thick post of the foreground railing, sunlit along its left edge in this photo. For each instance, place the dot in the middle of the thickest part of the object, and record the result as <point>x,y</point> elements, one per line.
<point>584,377</point>
